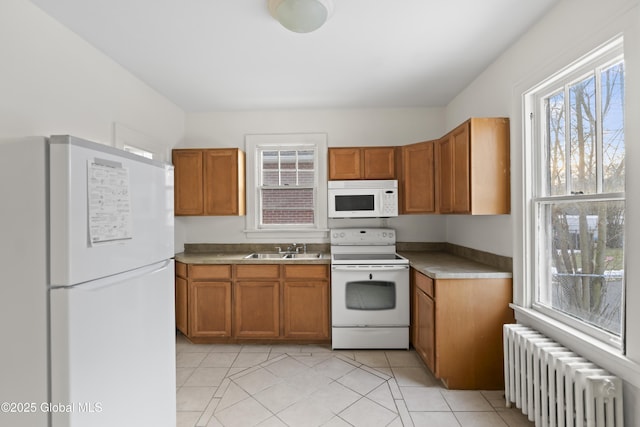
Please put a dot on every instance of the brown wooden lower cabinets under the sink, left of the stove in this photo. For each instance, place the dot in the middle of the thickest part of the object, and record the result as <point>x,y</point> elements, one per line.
<point>230,303</point>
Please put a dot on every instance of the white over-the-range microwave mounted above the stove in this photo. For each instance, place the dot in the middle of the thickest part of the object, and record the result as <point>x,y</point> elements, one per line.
<point>363,199</point>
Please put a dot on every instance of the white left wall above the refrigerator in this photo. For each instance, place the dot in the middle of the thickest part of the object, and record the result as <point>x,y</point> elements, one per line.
<point>53,82</point>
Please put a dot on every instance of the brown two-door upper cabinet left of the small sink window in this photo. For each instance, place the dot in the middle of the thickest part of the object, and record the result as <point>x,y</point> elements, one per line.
<point>209,181</point>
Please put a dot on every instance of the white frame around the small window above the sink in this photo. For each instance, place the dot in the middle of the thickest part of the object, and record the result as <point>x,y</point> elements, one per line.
<point>254,145</point>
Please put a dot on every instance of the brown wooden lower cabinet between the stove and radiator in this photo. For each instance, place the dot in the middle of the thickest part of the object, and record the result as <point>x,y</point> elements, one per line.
<point>456,328</point>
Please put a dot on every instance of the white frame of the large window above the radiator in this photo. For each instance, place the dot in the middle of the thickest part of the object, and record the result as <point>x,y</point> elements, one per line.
<point>535,162</point>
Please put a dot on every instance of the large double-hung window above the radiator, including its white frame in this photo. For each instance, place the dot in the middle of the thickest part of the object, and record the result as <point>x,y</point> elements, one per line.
<point>577,195</point>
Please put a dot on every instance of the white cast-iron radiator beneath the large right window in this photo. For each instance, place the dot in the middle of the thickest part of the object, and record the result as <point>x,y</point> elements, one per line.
<point>554,386</point>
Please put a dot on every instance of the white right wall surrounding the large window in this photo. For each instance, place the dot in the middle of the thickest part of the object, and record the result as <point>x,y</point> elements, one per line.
<point>571,29</point>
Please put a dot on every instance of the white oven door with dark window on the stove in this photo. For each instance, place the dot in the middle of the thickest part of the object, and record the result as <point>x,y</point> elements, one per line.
<point>372,295</point>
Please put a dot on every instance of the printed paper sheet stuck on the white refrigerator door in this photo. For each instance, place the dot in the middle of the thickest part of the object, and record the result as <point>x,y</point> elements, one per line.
<point>109,202</point>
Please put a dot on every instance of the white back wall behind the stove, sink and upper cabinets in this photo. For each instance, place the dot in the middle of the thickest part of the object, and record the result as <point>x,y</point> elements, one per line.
<point>343,128</point>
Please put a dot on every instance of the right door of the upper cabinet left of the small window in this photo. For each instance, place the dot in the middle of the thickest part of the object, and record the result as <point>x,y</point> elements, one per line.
<point>221,188</point>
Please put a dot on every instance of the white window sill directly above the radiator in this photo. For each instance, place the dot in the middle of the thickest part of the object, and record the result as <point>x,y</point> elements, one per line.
<point>607,357</point>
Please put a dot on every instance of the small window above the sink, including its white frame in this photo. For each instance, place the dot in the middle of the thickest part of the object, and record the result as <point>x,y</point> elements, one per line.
<point>284,176</point>
